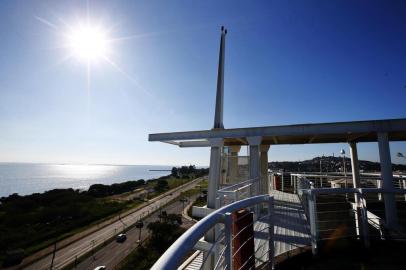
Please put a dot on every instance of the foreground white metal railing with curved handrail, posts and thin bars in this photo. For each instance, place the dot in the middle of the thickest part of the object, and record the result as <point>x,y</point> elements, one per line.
<point>221,248</point>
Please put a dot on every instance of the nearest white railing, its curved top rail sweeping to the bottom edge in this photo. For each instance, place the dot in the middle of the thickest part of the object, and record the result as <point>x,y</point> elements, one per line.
<point>176,253</point>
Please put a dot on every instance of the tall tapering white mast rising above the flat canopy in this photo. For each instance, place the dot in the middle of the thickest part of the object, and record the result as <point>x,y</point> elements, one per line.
<point>218,117</point>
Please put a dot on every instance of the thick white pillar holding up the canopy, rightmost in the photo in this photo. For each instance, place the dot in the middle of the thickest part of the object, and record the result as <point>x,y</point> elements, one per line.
<point>387,179</point>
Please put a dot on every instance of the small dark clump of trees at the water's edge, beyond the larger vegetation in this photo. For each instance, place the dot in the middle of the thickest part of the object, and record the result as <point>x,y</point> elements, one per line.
<point>100,190</point>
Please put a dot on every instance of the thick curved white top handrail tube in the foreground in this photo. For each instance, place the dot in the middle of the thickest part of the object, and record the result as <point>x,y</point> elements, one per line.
<point>173,257</point>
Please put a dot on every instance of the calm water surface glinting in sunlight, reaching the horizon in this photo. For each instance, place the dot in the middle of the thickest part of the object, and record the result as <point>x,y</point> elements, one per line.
<point>31,178</point>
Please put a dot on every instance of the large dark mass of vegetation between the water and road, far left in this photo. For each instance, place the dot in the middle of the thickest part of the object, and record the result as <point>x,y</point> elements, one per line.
<point>28,221</point>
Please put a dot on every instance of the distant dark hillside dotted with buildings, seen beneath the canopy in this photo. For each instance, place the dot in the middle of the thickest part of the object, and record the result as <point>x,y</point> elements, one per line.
<point>328,164</point>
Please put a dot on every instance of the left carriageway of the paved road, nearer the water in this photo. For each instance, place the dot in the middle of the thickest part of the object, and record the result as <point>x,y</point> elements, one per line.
<point>67,254</point>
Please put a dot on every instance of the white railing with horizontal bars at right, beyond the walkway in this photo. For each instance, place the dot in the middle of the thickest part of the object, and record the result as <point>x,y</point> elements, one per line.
<point>365,222</point>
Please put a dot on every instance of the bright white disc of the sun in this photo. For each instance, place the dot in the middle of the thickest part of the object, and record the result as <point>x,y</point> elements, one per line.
<point>88,42</point>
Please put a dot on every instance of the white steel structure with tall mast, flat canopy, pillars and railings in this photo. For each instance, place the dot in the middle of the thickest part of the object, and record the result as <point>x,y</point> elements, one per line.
<point>259,139</point>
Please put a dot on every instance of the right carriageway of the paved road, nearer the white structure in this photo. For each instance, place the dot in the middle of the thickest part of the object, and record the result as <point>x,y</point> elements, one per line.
<point>112,254</point>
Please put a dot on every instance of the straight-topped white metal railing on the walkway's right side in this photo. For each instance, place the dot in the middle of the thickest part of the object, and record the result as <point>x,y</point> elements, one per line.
<point>362,218</point>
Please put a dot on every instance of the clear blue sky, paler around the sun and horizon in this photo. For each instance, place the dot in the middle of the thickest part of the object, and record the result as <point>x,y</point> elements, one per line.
<point>287,62</point>
